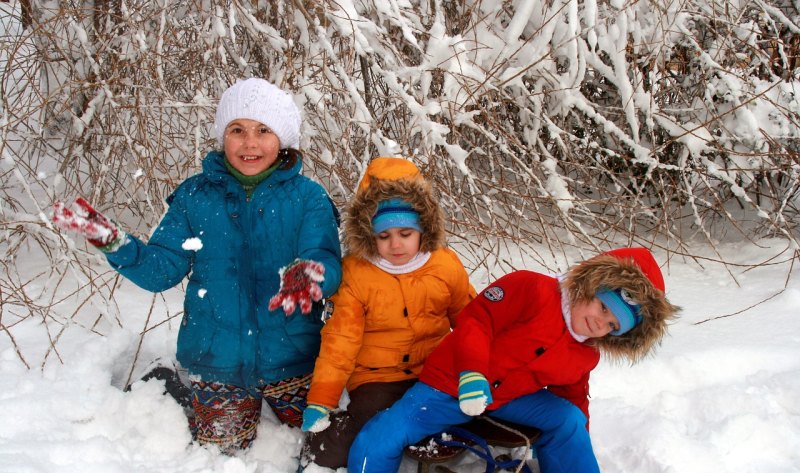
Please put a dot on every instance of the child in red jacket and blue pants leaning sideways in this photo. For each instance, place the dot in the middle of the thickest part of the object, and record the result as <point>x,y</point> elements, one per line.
<point>523,351</point>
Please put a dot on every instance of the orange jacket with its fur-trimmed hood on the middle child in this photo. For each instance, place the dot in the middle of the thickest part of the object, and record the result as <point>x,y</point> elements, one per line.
<point>383,326</point>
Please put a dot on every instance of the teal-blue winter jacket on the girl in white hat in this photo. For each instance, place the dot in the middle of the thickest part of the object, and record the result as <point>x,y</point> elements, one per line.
<point>228,334</point>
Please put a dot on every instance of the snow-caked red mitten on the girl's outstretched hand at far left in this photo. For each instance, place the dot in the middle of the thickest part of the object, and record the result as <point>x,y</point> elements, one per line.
<point>85,221</point>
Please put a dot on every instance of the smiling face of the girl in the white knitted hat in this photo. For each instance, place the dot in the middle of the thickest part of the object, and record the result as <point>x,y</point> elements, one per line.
<point>250,146</point>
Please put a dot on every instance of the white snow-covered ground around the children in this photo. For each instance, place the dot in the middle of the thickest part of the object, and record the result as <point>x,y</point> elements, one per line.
<point>721,395</point>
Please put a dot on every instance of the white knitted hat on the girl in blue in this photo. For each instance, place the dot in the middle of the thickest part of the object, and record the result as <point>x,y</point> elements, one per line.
<point>257,99</point>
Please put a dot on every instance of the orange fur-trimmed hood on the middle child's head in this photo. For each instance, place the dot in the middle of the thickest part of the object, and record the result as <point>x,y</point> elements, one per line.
<point>387,178</point>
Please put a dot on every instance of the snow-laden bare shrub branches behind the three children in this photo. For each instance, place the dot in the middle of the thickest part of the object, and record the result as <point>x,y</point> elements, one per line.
<point>547,128</point>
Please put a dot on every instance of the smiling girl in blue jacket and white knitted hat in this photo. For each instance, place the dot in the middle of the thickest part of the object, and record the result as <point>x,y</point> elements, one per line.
<point>259,243</point>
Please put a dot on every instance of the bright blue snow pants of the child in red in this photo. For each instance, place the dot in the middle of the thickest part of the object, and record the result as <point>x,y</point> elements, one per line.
<point>564,446</point>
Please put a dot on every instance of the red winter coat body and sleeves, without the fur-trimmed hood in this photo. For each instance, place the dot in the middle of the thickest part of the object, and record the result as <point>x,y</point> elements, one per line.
<point>515,334</point>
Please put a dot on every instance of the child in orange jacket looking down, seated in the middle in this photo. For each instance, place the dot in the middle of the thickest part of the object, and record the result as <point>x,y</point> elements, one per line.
<point>401,291</point>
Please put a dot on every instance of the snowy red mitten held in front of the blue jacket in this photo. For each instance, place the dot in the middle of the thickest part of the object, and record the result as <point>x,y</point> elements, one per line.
<point>299,285</point>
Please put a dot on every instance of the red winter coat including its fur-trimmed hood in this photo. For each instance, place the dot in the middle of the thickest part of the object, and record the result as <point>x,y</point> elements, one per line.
<point>515,334</point>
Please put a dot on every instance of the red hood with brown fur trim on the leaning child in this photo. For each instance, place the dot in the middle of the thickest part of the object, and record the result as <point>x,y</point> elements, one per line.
<point>636,271</point>
